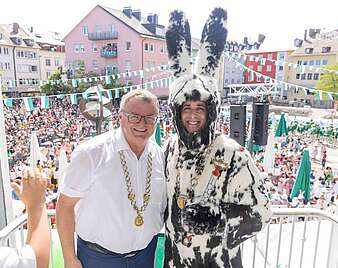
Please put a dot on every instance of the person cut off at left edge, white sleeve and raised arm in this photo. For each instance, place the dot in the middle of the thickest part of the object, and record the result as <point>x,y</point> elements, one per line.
<point>31,190</point>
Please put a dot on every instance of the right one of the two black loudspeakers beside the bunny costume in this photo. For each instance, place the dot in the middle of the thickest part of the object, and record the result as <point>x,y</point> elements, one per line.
<point>261,116</point>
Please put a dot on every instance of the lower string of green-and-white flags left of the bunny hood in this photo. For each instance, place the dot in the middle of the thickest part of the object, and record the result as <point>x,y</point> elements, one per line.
<point>113,93</point>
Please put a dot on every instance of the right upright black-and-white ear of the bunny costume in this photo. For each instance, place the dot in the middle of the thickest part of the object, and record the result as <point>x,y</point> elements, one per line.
<point>212,43</point>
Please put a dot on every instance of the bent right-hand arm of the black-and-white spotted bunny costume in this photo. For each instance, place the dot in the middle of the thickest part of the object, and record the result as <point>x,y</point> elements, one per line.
<point>246,204</point>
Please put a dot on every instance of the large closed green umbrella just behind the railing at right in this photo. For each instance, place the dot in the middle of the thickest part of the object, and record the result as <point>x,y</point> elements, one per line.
<point>302,183</point>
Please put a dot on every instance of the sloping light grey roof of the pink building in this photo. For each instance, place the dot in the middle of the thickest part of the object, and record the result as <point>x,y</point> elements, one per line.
<point>132,22</point>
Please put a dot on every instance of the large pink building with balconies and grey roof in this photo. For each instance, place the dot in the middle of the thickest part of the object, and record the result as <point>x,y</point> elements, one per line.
<point>110,41</point>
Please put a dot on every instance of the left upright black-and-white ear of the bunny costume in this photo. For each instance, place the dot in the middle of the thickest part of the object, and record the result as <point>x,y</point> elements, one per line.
<point>179,44</point>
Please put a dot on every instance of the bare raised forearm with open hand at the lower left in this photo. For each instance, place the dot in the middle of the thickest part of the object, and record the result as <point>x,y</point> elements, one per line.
<point>32,193</point>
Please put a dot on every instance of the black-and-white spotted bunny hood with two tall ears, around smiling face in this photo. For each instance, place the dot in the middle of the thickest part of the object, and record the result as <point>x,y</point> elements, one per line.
<point>200,85</point>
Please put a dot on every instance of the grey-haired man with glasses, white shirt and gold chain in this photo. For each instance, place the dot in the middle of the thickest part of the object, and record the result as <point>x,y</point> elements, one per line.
<point>113,195</point>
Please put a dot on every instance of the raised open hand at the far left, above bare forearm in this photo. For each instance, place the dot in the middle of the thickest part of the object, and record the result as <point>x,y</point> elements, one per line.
<point>32,189</point>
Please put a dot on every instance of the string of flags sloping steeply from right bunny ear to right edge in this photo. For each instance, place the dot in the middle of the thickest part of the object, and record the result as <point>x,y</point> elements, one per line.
<point>252,73</point>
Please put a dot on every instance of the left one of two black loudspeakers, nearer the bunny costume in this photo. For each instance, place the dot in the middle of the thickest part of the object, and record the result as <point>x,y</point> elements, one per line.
<point>237,123</point>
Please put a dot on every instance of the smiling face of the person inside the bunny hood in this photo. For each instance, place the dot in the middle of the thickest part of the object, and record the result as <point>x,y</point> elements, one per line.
<point>194,115</point>
